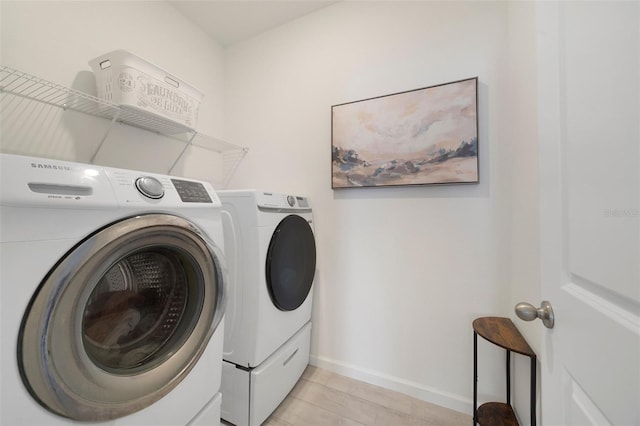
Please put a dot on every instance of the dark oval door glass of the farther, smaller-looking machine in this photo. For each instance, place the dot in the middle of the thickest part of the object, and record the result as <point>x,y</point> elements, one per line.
<point>291,263</point>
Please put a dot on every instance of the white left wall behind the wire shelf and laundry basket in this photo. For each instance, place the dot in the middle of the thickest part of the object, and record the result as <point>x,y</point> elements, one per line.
<point>55,40</point>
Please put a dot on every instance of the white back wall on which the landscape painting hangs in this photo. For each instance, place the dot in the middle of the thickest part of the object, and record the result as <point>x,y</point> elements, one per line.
<point>402,272</point>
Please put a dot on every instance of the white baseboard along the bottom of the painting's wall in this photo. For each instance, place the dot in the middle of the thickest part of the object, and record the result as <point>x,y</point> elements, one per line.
<point>416,390</point>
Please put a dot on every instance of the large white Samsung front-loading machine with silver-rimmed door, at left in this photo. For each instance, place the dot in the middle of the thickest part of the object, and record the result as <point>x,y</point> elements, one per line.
<point>112,290</point>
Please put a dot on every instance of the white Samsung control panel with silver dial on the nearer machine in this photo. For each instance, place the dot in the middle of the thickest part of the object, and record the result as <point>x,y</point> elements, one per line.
<point>63,184</point>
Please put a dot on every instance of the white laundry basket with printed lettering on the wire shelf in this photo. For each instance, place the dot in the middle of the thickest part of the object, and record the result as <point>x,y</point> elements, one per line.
<point>125,79</point>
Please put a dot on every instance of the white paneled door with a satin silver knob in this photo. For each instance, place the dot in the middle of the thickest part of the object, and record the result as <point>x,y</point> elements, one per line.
<point>589,130</point>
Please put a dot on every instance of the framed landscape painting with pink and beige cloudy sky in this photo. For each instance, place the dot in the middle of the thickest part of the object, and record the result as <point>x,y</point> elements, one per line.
<point>419,137</point>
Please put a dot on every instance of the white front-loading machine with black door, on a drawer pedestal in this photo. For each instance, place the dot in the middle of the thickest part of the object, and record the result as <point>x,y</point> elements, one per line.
<point>271,254</point>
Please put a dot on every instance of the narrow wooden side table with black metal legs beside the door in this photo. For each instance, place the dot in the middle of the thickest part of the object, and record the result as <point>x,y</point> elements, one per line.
<point>501,332</point>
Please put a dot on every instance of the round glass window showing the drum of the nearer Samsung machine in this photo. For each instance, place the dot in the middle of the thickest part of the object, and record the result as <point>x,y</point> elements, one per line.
<point>141,309</point>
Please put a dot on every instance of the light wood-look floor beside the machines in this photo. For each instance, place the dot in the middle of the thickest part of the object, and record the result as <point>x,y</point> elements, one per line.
<point>323,398</point>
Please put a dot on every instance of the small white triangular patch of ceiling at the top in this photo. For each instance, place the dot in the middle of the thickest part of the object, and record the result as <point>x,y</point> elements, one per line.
<point>232,21</point>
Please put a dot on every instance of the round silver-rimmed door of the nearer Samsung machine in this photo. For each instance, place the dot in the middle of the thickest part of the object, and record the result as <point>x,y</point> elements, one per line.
<point>122,318</point>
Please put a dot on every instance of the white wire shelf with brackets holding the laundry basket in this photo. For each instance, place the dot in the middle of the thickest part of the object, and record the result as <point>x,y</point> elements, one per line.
<point>14,83</point>
